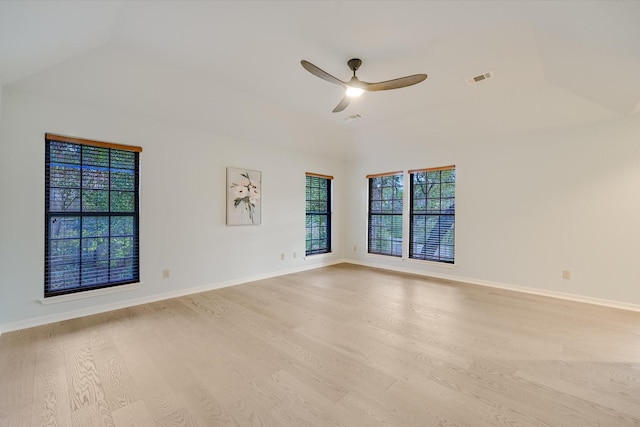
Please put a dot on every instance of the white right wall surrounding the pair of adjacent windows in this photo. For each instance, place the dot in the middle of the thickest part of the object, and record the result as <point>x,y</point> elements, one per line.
<point>527,207</point>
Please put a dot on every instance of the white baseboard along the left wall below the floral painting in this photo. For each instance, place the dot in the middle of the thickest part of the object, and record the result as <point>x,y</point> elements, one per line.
<point>73,314</point>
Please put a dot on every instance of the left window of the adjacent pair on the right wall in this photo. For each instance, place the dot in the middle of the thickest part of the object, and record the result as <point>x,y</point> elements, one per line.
<point>385,214</point>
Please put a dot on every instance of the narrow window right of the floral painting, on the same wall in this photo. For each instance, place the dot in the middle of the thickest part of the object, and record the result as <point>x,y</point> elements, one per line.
<point>318,220</point>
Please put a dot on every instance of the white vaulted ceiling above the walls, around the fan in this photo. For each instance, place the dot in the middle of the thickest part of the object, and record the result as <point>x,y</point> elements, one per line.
<point>556,63</point>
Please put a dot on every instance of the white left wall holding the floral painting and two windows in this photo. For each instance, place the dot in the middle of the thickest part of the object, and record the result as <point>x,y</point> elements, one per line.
<point>183,173</point>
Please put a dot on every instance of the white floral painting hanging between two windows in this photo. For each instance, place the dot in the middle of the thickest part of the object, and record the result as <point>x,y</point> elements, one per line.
<point>243,196</point>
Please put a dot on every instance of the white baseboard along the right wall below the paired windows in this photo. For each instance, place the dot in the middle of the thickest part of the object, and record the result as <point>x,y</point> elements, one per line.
<point>523,289</point>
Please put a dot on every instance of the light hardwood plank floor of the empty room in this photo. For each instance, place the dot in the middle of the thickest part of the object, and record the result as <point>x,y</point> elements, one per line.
<point>338,346</point>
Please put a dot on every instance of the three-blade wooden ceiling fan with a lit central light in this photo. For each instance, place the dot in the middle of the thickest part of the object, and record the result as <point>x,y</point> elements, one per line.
<point>356,87</point>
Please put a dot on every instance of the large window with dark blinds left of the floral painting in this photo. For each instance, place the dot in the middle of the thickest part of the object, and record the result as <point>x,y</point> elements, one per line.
<point>91,215</point>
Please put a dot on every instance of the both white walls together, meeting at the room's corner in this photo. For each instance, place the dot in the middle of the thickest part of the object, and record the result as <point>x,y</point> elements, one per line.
<point>528,205</point>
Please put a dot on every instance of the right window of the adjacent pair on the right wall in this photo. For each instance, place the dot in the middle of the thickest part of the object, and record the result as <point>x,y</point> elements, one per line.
<point>432,214</point>
